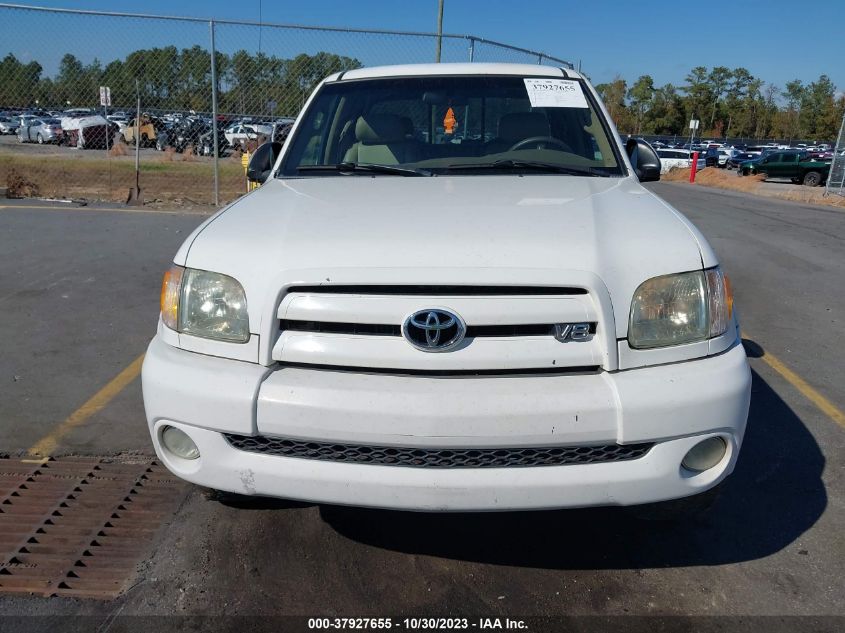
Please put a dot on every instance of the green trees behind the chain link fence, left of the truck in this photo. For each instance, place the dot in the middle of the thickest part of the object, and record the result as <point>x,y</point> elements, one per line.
<point>173,79</point>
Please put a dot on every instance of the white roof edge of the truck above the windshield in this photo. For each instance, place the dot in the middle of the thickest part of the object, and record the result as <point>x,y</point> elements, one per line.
<point>403,70</point>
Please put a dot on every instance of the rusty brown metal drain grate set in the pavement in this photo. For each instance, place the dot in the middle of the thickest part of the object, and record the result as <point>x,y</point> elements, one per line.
<point>78,527</point>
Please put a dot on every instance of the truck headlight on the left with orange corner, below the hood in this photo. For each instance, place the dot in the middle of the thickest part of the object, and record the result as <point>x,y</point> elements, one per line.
<point>204,304</point>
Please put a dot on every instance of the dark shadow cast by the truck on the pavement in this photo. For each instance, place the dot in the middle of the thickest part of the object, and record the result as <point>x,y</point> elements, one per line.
<point>774,495</point>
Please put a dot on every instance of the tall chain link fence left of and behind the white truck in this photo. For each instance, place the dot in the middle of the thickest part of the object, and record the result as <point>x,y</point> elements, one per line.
<point>191,95</point>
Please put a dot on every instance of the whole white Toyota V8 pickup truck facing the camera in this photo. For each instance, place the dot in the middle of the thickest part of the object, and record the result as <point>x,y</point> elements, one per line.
<point>451,292</point>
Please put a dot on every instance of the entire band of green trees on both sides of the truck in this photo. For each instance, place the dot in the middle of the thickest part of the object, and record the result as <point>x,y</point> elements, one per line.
<point>728,102</point>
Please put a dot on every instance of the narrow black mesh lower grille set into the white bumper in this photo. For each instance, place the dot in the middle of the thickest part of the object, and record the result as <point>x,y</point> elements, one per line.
<point>437,457</point>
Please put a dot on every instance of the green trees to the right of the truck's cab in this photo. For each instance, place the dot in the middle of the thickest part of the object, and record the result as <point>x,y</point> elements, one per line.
<point>728,103</point>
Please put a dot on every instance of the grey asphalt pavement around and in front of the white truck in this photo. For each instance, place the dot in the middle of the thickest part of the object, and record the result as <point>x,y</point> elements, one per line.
<point>79,291</point>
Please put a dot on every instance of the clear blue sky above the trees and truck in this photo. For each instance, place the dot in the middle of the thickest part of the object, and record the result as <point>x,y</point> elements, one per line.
<point>774,39</point>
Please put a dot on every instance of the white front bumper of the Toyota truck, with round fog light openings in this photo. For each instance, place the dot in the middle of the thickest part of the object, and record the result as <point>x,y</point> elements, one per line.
<point>675,406</point>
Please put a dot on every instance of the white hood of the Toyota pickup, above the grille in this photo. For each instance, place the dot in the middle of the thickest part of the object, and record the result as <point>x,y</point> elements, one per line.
<point>497,229</point>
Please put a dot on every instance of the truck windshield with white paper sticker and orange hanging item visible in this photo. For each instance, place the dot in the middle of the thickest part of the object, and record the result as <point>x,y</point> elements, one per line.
<point>457,125</point>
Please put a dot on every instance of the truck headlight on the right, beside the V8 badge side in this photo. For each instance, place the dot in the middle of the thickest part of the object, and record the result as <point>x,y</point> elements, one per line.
<point>682,308</point>
